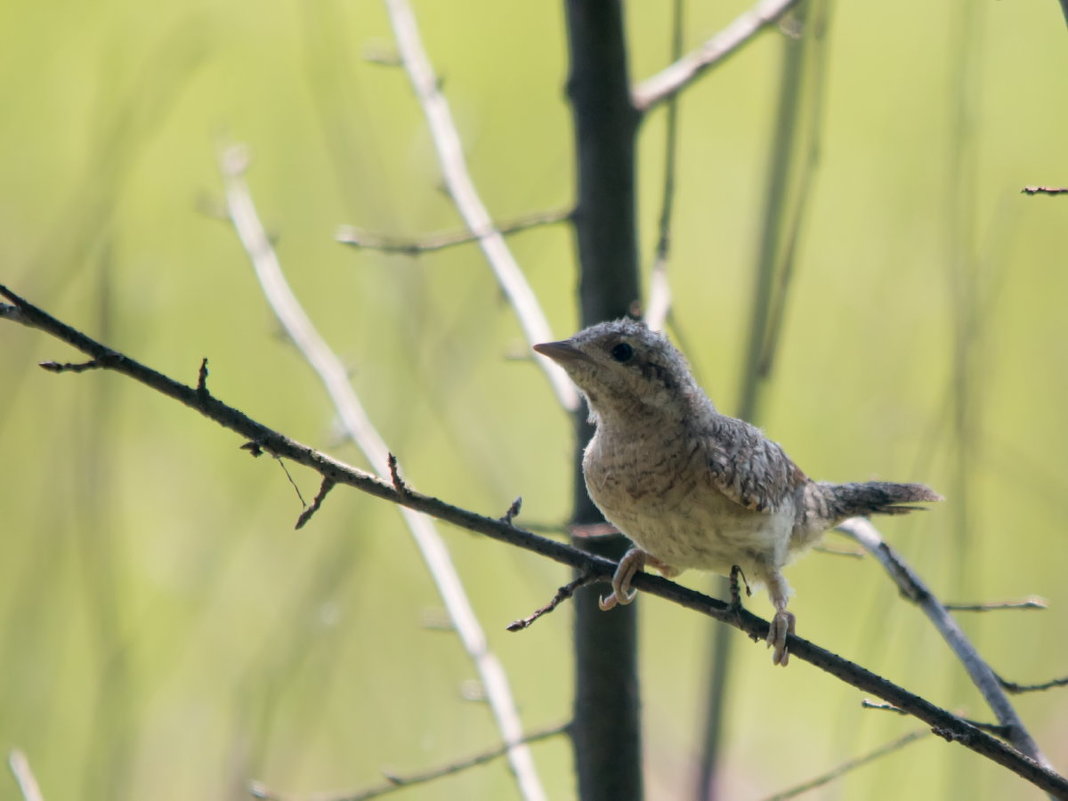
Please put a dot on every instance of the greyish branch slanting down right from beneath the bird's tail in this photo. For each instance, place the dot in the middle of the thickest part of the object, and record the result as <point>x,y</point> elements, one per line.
<point>913,587</point>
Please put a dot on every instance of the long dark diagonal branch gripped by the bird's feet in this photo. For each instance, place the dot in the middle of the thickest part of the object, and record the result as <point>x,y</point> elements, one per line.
<point>948,725</point>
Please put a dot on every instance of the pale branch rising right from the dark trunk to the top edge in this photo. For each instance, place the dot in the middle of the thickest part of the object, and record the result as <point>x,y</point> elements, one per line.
<point>684,72</point>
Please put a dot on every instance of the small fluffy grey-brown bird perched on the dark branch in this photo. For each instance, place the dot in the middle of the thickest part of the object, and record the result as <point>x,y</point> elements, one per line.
<point>693,488</point>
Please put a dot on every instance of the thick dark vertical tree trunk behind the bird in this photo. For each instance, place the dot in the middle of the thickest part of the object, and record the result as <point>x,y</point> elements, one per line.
<point>607,729</point>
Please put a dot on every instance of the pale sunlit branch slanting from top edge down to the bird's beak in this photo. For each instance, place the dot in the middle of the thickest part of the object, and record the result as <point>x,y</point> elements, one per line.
<point>462,191</point>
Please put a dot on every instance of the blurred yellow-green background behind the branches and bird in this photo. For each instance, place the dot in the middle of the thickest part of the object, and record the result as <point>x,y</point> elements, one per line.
<point>164,631</point>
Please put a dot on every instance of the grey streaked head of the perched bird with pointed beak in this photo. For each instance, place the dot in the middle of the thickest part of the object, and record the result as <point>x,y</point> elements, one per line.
<point>624,369</point>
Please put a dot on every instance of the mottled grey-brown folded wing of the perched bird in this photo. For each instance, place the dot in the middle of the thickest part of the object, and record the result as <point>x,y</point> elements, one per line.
<point>749,468</point>
